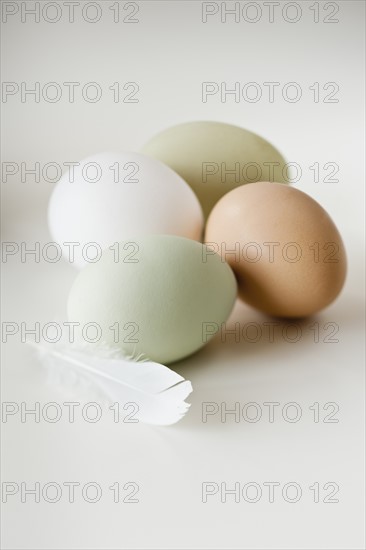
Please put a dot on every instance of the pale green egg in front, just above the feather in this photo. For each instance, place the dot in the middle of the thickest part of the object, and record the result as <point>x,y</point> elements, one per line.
<point>161,296</point>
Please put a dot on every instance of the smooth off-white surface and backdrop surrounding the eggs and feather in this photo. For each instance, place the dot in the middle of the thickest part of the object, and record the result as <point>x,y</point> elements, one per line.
<point>170,53</point>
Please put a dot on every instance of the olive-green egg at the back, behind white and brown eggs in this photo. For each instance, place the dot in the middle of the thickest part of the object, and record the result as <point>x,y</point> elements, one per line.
<point>214,158</point>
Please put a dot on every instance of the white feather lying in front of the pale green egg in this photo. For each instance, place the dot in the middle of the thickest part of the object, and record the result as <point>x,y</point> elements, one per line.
<point>158,392</point>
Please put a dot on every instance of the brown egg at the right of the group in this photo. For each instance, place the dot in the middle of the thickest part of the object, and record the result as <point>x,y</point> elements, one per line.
<point>285,250</point>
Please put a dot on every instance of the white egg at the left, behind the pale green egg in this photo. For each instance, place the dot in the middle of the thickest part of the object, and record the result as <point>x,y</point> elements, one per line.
<point>110,197</point>
